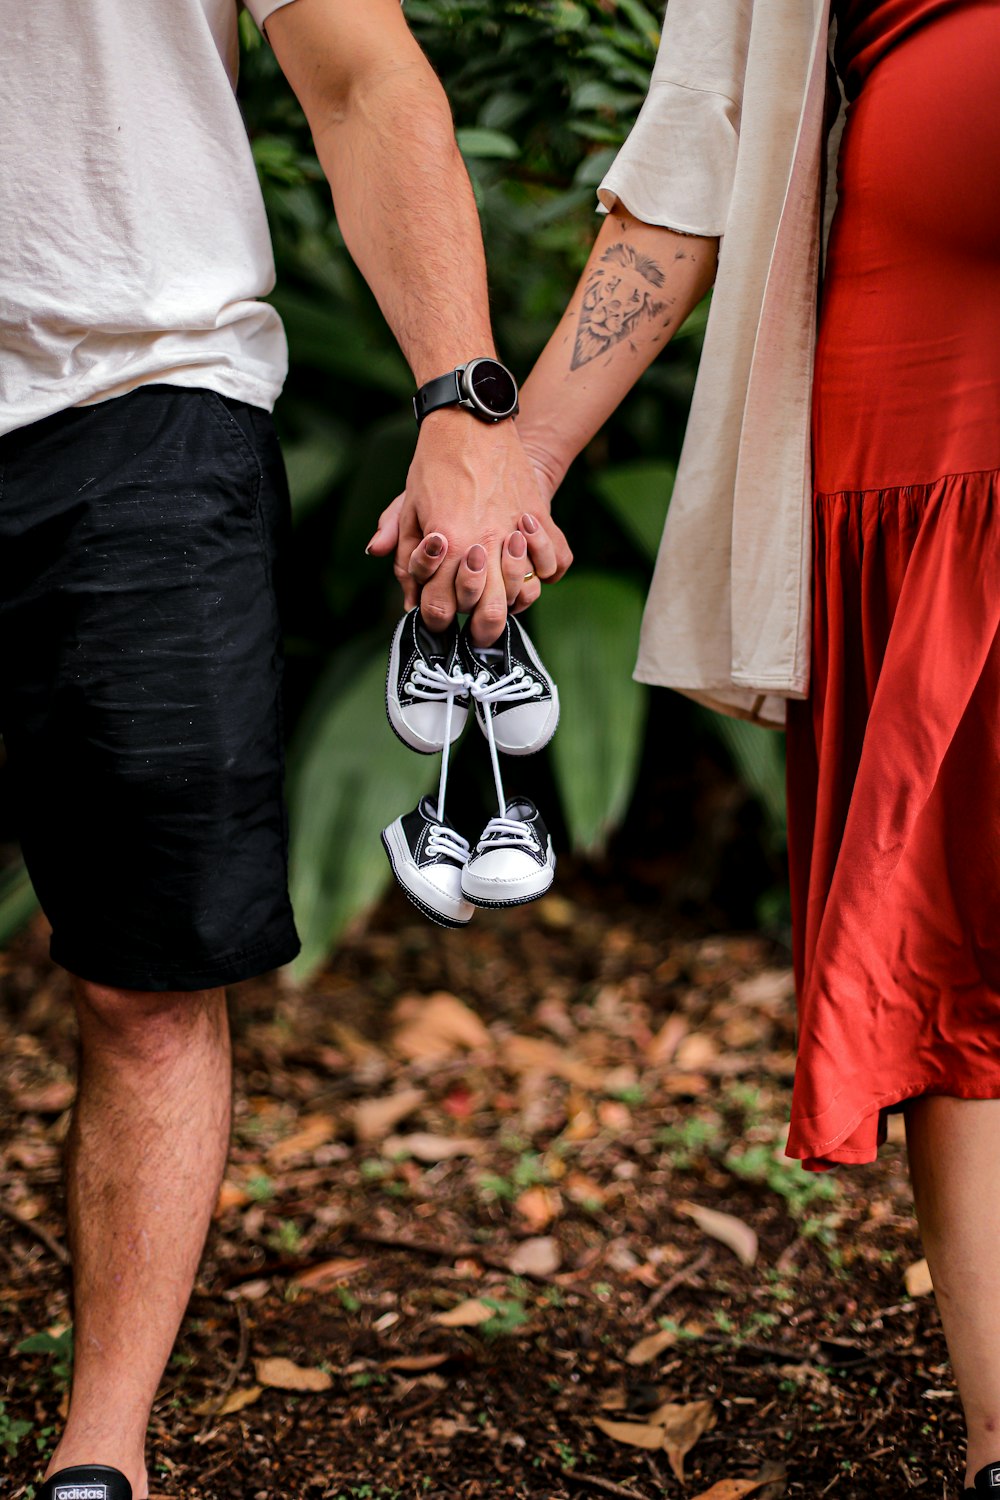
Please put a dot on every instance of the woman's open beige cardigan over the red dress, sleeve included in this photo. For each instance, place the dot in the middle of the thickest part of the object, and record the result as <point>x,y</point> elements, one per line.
<point>731,143</point>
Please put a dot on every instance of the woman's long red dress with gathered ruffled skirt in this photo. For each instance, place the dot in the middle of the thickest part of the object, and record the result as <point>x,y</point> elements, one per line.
<point>894,763</point>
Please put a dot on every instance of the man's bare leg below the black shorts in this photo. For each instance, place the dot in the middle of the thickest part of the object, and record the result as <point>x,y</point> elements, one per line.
<point>146,1156</point>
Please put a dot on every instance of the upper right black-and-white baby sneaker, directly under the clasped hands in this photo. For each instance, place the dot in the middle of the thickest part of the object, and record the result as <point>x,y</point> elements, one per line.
<point>513,688</point>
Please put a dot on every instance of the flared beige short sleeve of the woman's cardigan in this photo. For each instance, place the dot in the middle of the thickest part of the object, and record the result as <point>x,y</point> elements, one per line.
<point>678,166</point>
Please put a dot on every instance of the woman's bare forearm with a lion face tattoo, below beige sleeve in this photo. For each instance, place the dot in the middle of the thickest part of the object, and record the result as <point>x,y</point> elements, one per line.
<point>639,286</point>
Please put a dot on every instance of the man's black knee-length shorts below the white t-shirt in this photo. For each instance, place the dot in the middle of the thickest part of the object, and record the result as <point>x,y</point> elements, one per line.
<point>142,686</point>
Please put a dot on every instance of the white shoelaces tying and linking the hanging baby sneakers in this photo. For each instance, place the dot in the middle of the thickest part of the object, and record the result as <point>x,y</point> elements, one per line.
<point>434,685</point>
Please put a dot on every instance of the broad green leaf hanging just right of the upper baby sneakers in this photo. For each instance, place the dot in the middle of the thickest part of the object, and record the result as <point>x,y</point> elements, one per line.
<point>588,632</point>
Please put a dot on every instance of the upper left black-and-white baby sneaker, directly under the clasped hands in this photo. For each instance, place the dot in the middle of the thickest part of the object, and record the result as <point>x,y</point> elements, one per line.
<point>427,697</point>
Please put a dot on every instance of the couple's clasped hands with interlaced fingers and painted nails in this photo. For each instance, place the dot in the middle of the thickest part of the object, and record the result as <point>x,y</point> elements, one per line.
<point>473,532</point>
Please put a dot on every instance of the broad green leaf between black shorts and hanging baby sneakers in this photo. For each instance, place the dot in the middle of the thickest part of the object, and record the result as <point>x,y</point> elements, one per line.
<point>349,779</point>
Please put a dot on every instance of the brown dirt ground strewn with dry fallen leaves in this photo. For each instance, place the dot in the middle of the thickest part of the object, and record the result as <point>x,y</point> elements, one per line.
<point>507,1214</point>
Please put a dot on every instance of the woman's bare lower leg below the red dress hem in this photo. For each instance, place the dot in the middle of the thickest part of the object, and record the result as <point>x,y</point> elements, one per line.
<point>956,1171</point>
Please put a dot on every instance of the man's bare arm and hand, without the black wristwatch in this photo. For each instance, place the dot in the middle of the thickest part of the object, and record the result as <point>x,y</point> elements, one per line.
<point>385,137</point>
